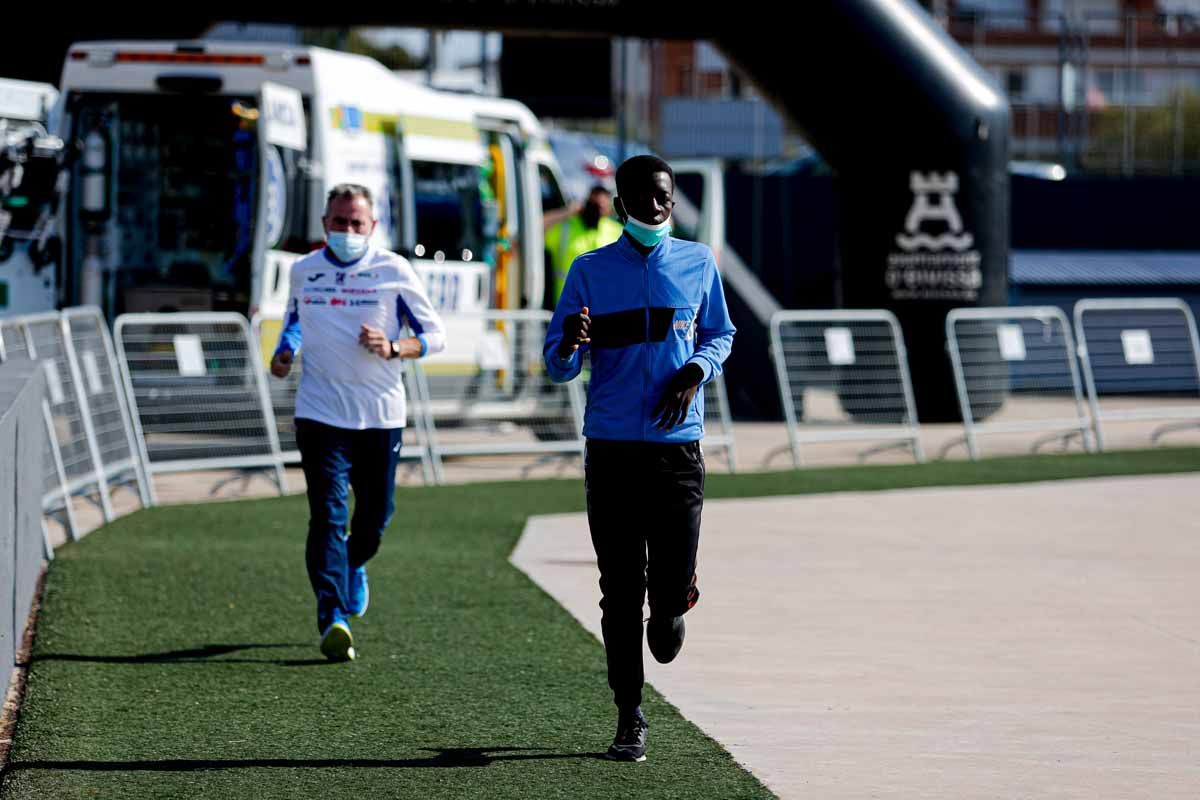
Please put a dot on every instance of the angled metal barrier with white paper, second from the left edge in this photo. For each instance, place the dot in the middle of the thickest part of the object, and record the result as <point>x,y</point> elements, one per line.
<point>46,340</point>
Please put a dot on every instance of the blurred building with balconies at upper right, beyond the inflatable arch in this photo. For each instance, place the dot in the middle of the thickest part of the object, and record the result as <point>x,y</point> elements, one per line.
<point>1101,86</point>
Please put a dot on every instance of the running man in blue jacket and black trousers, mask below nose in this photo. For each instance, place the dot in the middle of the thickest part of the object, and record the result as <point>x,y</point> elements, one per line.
<point>652,312</point>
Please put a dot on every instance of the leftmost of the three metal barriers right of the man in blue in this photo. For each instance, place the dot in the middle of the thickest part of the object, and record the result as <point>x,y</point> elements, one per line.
<point>844,377</point>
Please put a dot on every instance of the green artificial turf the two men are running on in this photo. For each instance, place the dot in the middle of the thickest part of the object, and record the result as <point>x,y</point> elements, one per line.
<point>177,655</point>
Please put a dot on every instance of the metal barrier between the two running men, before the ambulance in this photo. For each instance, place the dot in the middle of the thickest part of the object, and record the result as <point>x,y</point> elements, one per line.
<point>503,402</point>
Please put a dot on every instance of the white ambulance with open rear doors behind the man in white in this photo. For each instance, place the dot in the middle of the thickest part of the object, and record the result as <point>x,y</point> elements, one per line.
<point>202,172</point>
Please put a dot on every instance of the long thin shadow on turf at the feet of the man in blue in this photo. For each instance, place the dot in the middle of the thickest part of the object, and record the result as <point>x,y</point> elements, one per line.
<point>443,757</point>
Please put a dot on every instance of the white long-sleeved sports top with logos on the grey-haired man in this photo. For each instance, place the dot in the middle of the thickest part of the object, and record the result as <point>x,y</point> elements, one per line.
<point>343,383</point>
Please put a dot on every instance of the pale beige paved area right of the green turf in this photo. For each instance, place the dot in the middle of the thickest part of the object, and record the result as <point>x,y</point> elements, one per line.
<point>1039,641</point>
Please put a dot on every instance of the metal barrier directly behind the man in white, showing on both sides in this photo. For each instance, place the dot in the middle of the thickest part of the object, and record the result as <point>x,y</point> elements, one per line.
<point>284,401</point>
